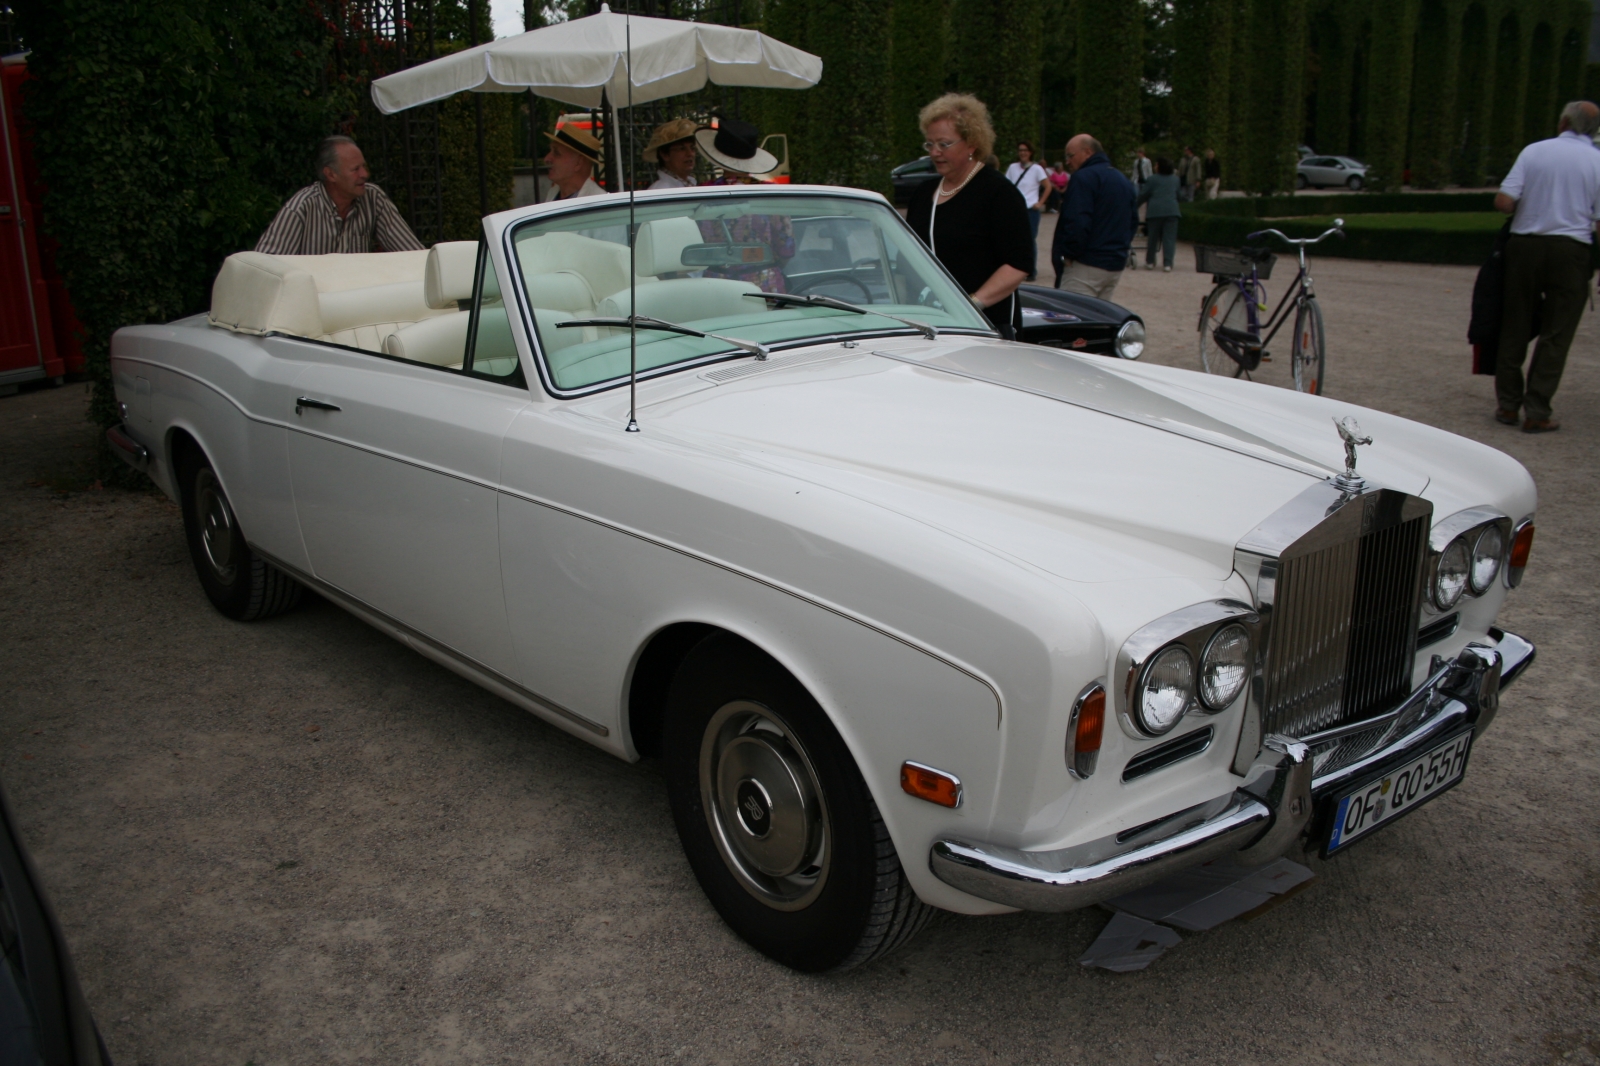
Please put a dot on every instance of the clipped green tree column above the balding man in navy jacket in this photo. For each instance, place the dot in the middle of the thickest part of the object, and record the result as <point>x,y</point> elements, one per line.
<point>1111,74</point>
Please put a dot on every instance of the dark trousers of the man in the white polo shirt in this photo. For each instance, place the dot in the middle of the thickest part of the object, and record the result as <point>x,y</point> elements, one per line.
<point>1545,278</point>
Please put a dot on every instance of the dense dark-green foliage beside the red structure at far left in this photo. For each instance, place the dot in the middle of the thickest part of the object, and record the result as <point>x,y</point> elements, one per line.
<point>169,135</point>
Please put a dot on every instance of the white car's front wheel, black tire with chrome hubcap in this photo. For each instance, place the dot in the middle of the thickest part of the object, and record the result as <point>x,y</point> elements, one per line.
<point>844,900</point>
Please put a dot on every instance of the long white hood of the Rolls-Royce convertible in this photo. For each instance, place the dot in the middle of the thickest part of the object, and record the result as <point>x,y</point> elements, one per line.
<point>1084,468</point>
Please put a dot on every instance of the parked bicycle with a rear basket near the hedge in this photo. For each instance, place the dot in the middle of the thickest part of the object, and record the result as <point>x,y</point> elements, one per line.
<point>1231,329</point>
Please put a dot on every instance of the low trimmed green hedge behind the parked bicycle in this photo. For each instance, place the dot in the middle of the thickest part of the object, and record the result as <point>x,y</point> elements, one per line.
<point>1460,238</point>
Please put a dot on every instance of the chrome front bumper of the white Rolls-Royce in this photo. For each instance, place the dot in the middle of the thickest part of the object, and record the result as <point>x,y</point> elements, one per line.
<point>1257,822</point>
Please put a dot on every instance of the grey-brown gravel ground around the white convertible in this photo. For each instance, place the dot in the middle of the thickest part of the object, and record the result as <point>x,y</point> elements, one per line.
<point>300,843</point>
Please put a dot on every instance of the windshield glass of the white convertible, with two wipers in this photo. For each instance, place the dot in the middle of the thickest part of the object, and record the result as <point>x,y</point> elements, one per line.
<point>705,263</point>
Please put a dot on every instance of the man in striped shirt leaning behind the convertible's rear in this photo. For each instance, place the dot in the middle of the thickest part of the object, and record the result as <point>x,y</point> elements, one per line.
<point>343,212</point>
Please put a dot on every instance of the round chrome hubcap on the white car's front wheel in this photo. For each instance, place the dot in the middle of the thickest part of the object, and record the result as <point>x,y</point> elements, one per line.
<point>764,806</point>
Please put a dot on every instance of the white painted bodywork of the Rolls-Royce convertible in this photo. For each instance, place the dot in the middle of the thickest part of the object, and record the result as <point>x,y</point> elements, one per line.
<point>942,561</point>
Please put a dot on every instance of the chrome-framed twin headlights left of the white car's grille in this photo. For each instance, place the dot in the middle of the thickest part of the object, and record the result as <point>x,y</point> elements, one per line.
<point>1196,659</point>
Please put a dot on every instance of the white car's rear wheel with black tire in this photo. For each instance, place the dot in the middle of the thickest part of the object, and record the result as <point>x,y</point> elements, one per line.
<point>236,580</point>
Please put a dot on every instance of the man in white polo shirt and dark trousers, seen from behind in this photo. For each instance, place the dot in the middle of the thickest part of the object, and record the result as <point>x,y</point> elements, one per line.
<point>1553,194</point>
